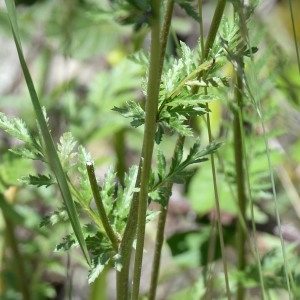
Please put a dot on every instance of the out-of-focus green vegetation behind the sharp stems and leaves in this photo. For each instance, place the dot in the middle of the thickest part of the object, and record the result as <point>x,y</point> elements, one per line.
<point>78,56</point>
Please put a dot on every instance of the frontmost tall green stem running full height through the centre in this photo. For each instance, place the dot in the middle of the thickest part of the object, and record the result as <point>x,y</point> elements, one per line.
<point>148,142</point>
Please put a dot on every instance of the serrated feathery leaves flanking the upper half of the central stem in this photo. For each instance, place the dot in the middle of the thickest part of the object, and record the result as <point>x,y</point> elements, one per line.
<point>176,101</point>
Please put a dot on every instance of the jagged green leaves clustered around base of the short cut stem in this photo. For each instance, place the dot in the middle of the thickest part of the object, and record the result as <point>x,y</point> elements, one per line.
<point>116,200</point>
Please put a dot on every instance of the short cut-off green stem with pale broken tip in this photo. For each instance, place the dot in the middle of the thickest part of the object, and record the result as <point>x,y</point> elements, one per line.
<point>99,204</point>
